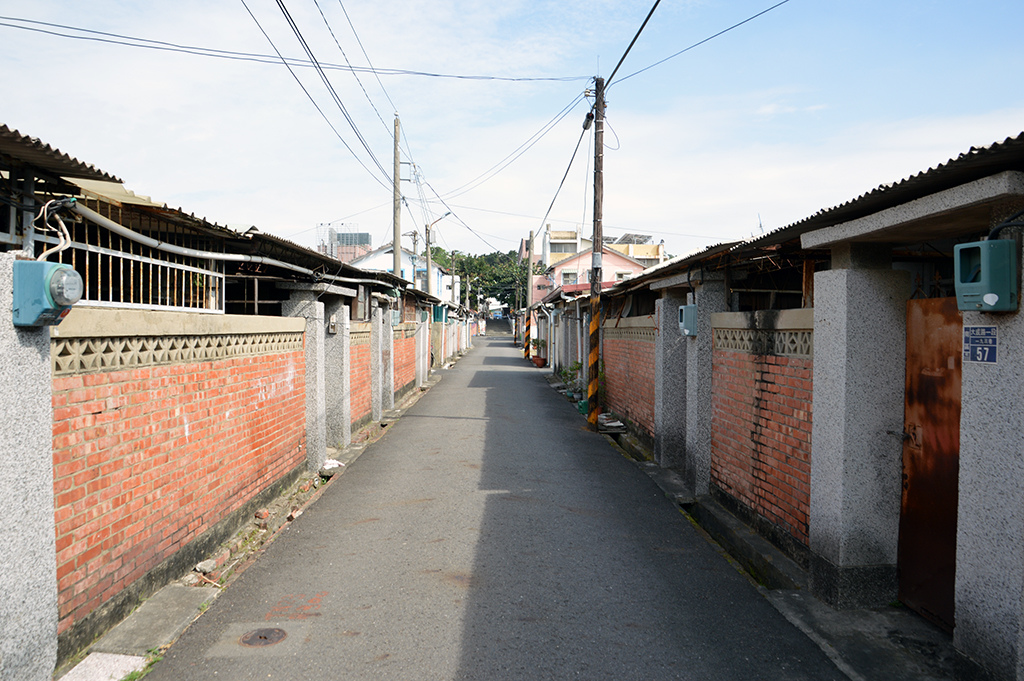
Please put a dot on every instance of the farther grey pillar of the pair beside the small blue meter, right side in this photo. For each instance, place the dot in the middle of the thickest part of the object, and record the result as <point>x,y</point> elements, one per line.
<point>670,382</point>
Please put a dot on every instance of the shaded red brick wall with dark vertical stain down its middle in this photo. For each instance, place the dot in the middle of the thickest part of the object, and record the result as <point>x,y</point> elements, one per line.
<point>761,436</point>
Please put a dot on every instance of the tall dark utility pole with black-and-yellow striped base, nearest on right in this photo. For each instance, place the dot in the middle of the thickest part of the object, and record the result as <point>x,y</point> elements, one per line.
<point>599,239</point>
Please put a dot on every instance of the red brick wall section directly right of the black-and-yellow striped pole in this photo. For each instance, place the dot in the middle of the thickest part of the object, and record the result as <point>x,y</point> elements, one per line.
<point>629,379</point>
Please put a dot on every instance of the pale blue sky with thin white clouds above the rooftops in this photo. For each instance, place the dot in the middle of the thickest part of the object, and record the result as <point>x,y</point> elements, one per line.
<point>805,107</point>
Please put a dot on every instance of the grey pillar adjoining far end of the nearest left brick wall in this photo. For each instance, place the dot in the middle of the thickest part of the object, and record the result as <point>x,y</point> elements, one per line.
<point>308,305</point>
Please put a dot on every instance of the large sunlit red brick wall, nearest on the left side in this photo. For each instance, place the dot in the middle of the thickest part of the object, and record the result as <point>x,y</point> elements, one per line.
<point>147,460</point>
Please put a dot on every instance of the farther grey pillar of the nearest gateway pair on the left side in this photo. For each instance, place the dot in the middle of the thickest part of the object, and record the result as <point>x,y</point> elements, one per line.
<point>337,350</point>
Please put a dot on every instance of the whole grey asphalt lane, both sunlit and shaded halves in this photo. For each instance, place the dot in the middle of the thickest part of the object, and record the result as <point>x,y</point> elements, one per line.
<point>490,536</point>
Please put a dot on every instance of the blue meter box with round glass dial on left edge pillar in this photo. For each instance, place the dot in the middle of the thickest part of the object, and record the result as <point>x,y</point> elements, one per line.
<point>45,292</point>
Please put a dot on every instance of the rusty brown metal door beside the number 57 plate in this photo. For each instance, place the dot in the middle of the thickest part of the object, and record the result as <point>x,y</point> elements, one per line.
<point>931,458</point>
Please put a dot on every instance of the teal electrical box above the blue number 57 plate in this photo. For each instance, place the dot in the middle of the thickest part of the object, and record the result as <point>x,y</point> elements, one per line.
<point>986,276</point>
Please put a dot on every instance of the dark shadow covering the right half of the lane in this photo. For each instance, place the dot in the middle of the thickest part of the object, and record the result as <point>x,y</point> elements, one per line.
<point>584,570</point>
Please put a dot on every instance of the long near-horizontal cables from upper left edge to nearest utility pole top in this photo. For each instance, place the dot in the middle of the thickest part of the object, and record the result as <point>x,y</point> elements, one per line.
<point>146,44</point>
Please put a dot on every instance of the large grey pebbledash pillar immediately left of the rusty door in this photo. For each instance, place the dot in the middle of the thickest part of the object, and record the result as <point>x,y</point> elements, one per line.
<point>857,462</point>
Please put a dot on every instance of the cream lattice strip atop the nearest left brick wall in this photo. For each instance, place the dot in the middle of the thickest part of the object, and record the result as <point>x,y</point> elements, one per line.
<point>73,356</point>
